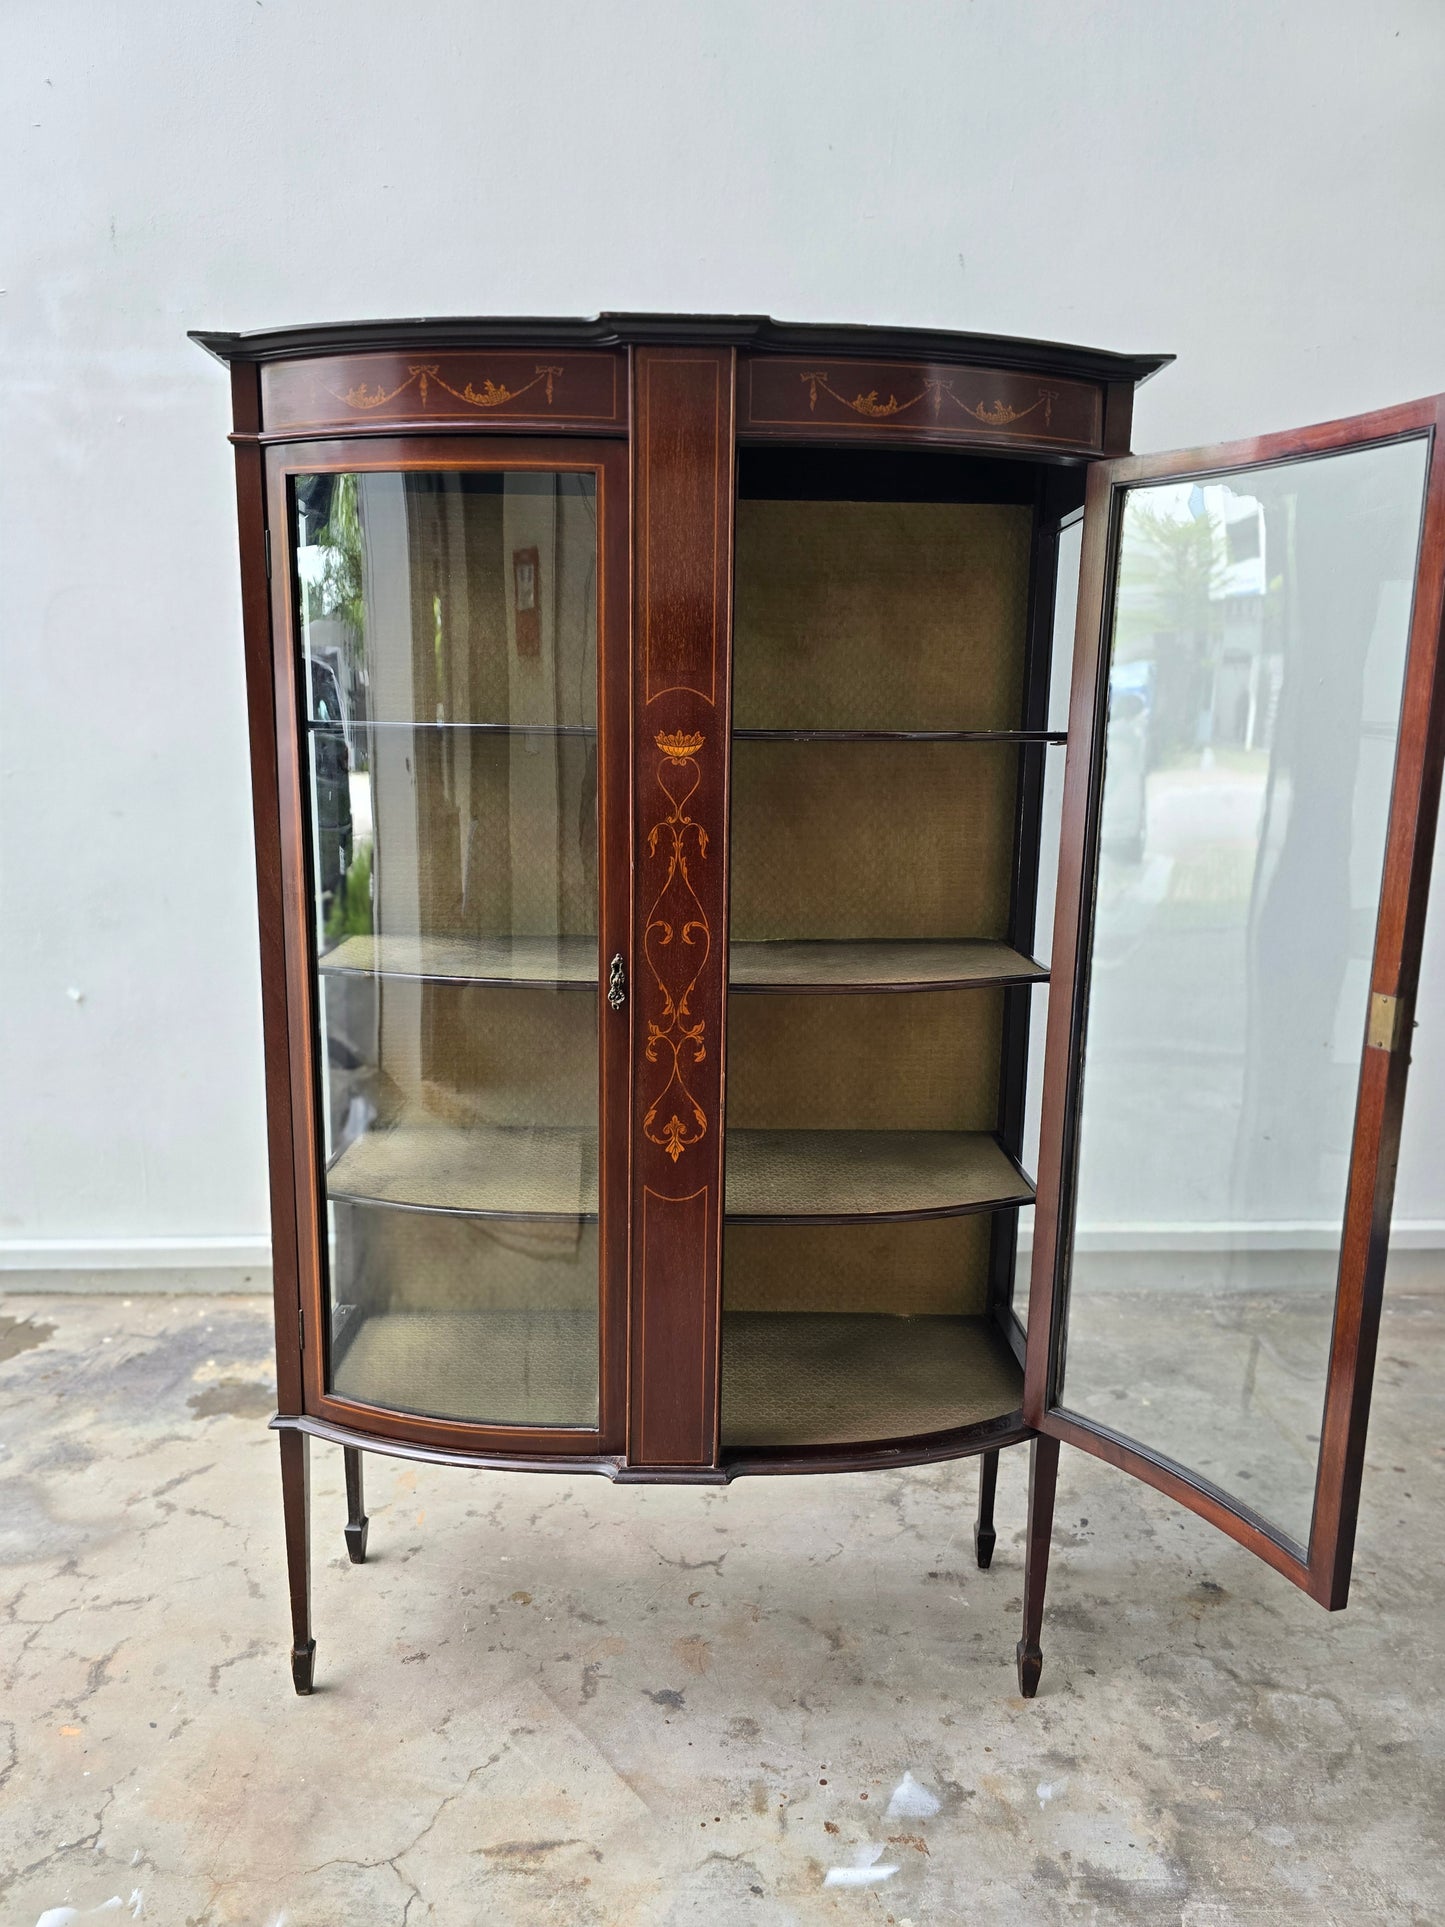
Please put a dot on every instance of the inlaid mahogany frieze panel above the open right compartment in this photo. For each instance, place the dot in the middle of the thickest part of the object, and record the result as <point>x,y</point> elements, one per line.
<point>804,396</point>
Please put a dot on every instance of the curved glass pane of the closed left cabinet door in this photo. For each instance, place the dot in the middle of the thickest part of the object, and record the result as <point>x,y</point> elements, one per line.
<point>450,681</point>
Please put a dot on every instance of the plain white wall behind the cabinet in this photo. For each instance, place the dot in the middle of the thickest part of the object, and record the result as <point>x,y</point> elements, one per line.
<point>1253,186</point>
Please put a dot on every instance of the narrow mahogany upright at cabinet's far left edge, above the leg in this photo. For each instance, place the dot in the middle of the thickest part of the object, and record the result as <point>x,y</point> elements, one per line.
<point>267,816</point>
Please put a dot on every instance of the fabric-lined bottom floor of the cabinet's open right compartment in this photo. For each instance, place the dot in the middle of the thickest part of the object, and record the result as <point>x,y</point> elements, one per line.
<point>837,1379</point>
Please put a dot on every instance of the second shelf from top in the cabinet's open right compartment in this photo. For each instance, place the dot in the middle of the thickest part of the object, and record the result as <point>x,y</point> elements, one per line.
<point>878,966</point>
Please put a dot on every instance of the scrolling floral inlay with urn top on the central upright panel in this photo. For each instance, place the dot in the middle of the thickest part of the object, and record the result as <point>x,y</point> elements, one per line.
<point>677,941</point>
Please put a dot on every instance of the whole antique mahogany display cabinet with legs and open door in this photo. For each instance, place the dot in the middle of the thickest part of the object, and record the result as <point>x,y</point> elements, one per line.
<point>820,914</point>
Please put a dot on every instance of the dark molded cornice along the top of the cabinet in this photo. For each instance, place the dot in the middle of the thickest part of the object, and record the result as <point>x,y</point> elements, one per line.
<point>722,330</point>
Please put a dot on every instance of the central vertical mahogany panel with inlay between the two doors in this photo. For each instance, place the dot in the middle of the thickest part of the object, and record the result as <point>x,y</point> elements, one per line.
<point>683,583</point>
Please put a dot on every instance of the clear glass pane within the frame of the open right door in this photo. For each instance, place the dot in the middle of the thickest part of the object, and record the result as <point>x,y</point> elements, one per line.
<point>1253,704</point>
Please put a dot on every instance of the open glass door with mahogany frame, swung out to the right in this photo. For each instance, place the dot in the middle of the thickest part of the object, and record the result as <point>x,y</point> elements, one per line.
<point>1255,751</point>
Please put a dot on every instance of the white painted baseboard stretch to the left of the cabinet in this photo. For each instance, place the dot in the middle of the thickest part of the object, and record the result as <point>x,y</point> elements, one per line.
<point>130,1267</point>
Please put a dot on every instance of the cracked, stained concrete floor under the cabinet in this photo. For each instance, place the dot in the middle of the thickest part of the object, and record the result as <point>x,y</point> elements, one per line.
<point>785,1703</point>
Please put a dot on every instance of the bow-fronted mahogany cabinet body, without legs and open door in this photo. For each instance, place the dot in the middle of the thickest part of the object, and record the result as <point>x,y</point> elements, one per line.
<point>662,751</point>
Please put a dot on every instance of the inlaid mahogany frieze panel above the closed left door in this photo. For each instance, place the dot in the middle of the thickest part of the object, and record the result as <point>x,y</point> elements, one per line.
<point>560,388</point>
